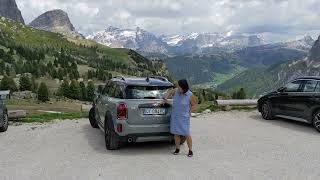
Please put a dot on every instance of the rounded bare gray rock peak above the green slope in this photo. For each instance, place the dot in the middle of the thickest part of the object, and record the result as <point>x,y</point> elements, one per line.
<point>56,21</point>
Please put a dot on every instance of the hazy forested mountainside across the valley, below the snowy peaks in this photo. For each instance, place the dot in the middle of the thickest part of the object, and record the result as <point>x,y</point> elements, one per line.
<point>215,68</point>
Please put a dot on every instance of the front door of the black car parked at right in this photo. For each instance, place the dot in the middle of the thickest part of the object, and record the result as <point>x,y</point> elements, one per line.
<point>282,102</point>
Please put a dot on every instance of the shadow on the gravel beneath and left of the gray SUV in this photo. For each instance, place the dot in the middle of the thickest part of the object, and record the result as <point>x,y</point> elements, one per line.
<point>95,139</point>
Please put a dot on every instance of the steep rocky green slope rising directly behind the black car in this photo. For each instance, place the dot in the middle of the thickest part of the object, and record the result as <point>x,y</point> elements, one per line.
<point>263,79</point>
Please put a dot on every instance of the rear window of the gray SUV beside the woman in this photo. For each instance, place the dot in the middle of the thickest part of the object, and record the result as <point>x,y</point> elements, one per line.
<point>146,92</point>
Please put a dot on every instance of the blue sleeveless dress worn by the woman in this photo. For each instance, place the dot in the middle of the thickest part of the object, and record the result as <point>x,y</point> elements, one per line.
<point>180,117</point>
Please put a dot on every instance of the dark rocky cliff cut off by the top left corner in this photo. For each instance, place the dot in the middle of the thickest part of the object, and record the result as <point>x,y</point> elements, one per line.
<point>9,9</point>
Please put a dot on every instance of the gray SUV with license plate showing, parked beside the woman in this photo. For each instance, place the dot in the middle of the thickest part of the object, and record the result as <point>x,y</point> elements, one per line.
<point>130,110</point>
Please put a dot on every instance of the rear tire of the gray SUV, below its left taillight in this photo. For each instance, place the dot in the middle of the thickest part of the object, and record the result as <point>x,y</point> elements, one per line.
<point>110,136</point>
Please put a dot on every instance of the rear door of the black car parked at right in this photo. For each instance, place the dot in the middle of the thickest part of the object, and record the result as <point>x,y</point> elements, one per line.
<point>299,103</point>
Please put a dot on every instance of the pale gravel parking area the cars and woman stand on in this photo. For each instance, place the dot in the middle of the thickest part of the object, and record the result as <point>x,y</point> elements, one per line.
<point>227,145</point>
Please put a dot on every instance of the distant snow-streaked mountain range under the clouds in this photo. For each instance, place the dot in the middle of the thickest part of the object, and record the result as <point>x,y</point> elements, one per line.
<point>148,43</point>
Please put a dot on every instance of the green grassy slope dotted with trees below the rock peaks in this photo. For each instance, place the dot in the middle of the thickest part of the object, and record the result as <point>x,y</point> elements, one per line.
<point>20,38</point>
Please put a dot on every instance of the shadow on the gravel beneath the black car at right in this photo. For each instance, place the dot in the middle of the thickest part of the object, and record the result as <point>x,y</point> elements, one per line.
<point>288,124</point>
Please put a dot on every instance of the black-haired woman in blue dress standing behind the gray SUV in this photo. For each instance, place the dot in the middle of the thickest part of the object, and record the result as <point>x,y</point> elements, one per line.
<point>183,104</point>
